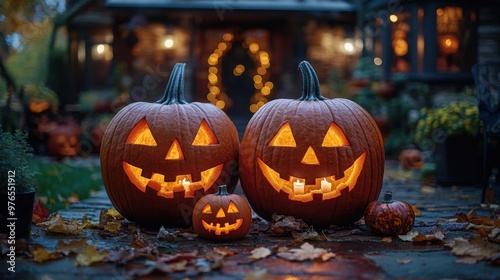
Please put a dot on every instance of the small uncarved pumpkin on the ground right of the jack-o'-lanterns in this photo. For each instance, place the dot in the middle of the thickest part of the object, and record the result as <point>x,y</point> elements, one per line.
<point>389,217</point>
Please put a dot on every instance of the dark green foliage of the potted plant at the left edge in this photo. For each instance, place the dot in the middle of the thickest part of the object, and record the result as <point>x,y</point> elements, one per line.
<point>15,153</point>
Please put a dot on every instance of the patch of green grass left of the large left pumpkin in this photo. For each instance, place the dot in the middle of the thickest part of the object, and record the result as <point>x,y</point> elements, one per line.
<point>65,182</point>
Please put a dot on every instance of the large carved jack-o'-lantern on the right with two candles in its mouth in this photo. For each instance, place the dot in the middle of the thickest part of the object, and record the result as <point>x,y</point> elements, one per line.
<point>268,167</point>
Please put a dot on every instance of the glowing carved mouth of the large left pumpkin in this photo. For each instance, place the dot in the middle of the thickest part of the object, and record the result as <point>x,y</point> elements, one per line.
<point>167,189</point>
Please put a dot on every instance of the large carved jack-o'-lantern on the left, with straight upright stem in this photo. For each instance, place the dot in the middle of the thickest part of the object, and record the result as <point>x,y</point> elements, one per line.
<point>154,196</point>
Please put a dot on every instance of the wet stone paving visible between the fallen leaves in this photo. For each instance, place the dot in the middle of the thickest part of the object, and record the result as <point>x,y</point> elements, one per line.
<point>359,254</point>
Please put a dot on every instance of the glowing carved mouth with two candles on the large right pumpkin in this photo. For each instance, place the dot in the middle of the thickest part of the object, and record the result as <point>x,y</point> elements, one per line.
<point>349,180</point>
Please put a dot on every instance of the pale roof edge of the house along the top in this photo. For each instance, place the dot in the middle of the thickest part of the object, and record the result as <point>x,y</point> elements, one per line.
<point>230,5</point>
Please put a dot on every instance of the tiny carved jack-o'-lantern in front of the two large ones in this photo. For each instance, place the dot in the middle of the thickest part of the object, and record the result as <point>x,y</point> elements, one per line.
<point>222,216</point>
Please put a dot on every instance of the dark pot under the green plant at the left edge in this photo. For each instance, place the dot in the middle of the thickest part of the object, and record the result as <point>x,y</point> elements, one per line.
<point>16,221</point>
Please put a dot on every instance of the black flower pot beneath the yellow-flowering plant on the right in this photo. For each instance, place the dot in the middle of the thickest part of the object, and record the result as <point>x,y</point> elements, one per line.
<point>458,161</point>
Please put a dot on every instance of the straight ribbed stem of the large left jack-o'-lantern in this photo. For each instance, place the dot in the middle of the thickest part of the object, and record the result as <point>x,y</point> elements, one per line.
<point>174,92</point>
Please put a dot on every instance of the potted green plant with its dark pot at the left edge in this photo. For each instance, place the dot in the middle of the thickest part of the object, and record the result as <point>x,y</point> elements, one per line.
<point>18,186</point>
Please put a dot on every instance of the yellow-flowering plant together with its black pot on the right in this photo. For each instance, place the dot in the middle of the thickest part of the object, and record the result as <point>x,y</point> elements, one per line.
<point>452,133</point>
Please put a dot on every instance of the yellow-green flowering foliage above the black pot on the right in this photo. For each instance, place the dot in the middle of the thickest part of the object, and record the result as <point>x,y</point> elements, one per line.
<point>460,117</point>
